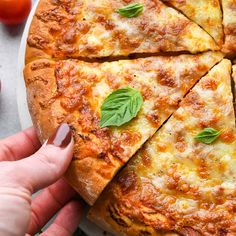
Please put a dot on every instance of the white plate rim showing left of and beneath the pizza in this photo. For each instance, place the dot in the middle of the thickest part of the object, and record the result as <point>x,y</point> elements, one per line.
<point>88,227</point>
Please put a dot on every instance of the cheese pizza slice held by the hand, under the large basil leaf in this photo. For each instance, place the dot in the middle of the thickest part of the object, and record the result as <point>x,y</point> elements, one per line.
<point>73,91</point>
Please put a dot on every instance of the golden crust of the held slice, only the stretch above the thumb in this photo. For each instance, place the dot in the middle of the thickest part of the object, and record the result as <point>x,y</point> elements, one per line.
<point>40,85</point>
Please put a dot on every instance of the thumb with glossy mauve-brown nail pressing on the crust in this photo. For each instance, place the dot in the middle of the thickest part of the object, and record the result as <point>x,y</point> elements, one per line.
<point>49,163</point>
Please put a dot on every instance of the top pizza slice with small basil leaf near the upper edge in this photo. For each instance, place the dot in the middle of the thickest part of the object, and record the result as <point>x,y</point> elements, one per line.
<point>95,28</point>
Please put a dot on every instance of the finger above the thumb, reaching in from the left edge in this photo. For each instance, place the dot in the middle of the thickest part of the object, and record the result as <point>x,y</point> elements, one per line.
<point>19,145</point>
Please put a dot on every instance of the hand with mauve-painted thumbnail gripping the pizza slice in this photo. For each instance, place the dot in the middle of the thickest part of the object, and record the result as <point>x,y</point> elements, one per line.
<point>20,177</point>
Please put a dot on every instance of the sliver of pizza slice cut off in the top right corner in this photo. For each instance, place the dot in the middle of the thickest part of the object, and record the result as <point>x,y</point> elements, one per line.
<point>229,22</point>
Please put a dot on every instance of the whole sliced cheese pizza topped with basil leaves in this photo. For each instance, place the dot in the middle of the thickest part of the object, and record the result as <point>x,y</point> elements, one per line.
<point>148,90</point>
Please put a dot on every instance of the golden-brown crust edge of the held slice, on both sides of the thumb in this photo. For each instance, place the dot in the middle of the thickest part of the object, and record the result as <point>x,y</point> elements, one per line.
<point>41,87</point>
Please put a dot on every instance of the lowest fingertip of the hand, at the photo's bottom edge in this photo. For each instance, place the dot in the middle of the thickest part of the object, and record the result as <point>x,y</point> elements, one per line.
<point>67,220</point>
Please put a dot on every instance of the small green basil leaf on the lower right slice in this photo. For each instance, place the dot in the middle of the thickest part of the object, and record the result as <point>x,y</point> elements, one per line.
<point>208,135</point>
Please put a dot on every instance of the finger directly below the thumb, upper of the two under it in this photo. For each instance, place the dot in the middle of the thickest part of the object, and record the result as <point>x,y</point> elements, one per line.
<point>47,203</point>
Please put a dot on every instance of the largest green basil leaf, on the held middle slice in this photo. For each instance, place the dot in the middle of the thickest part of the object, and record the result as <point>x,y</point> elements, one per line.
<point>120,107</point>
